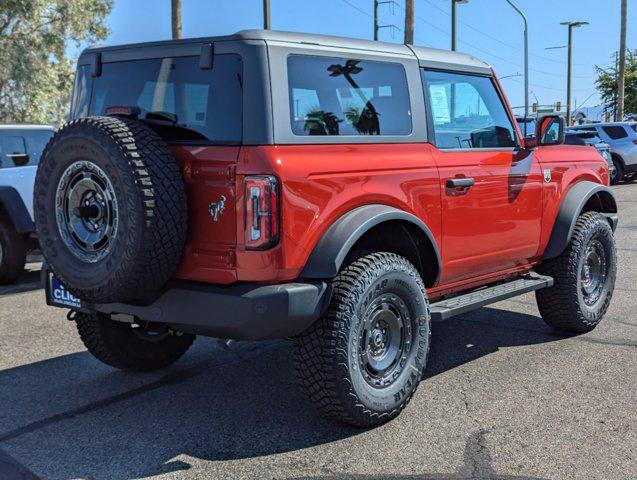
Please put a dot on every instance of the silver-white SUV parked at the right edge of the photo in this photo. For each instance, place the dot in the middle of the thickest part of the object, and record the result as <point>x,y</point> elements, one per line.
<point>622,138</point>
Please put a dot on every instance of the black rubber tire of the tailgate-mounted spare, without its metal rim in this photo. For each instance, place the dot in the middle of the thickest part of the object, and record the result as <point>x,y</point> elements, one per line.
<point>151,201</point>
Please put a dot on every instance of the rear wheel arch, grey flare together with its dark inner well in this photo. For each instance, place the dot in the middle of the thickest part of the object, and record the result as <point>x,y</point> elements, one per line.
<point>366,227</point>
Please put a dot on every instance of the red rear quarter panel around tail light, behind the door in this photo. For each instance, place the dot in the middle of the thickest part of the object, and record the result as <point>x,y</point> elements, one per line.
<point>322,182</point>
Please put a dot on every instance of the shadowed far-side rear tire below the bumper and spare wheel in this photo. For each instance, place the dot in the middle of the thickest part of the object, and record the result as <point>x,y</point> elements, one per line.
<point>114,343</point>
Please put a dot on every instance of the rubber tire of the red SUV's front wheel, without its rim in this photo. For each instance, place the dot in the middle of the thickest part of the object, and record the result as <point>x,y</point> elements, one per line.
<point>562,306</point>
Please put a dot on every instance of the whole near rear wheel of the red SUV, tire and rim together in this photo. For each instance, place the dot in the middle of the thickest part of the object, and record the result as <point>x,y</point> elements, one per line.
<point>363,360</point>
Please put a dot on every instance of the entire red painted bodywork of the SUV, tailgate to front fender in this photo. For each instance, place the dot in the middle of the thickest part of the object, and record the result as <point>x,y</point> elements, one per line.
<point>497,228</point>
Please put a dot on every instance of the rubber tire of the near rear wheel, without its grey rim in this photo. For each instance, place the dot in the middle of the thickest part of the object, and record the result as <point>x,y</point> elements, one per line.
<point>326,356</point>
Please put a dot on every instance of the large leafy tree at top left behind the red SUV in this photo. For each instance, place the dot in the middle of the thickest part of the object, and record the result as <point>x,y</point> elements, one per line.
<point>36,74</point>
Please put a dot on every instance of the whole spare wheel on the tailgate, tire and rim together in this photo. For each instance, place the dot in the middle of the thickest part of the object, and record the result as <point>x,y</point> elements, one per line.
<point>110,209</point>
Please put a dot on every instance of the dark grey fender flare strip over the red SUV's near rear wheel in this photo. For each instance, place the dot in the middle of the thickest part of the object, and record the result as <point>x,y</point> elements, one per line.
<point>331,250</point>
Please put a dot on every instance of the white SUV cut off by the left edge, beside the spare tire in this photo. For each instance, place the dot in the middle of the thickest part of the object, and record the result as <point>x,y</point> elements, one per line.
<point>20,149</point>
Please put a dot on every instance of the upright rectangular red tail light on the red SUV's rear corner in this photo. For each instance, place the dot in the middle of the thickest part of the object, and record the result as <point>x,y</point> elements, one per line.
<point>262,211</point>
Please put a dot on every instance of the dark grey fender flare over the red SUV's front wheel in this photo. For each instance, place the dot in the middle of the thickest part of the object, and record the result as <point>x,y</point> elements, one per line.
<point>572,207</point>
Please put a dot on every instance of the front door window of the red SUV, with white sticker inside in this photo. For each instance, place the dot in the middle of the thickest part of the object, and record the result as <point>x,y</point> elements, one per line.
<point>467,112</point>
